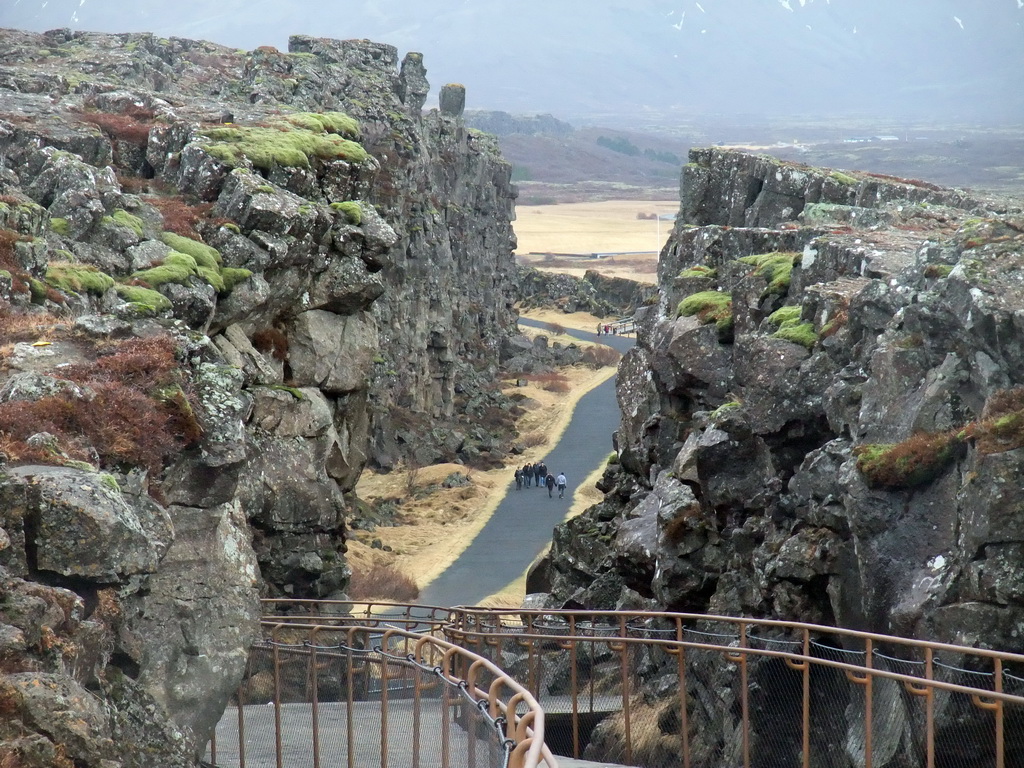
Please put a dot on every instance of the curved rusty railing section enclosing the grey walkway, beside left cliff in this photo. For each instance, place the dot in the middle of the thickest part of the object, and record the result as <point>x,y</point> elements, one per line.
<point>334,690</point>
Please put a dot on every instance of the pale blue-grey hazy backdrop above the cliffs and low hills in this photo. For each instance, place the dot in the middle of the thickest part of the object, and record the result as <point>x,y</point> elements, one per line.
<point>945,61</point>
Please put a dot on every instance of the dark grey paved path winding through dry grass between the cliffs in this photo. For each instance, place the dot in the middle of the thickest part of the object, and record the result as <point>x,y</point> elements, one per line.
<point>522,526</point>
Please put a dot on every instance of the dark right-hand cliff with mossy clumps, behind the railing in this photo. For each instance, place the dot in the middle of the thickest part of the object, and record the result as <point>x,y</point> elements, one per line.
<point>822,418</point>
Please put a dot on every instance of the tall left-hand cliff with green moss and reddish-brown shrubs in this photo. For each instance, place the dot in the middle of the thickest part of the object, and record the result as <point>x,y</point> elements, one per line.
<point>223,276</point>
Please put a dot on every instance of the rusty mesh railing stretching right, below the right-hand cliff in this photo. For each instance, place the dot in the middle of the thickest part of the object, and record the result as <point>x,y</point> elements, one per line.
<point>704,692</point>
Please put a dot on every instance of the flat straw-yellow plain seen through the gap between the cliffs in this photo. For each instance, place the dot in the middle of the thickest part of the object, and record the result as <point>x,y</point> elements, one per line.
<point>546,234</point>
